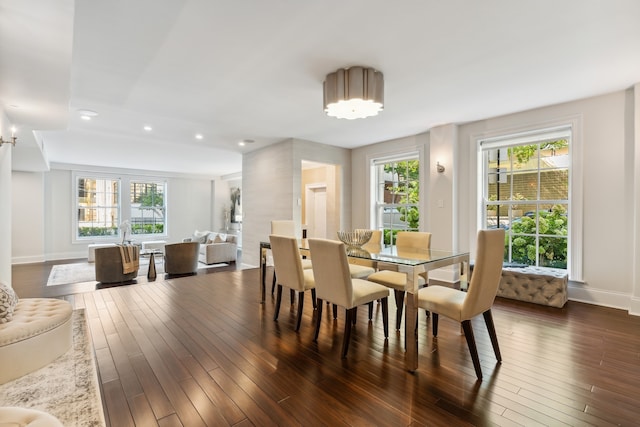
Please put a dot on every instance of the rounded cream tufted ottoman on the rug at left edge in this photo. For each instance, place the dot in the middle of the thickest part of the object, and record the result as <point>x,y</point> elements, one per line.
<point>40,332</point>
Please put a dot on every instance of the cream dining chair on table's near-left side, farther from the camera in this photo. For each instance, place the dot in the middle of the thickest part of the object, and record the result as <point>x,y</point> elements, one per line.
<point>288,266</point>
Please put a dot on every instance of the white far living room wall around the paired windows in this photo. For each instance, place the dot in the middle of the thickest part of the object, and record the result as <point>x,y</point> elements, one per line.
<point>43,229</point>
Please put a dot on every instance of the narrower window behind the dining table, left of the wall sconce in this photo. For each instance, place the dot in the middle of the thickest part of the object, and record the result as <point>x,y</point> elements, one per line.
<point>397,195</point>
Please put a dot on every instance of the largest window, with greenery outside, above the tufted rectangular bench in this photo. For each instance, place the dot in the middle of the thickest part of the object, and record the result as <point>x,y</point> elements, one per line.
<point>526,192</point>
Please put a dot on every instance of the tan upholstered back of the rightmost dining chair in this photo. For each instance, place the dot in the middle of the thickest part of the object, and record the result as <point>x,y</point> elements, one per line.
<point>487,273</point>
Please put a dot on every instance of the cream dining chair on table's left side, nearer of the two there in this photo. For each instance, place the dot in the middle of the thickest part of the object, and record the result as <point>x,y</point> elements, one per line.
<point>335,285</point>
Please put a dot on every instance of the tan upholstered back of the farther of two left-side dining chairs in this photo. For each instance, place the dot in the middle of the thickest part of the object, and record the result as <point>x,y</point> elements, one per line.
<point>287,262</point>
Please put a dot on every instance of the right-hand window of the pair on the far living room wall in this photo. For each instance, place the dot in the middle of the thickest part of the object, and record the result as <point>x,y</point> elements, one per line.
<point>147,207</point>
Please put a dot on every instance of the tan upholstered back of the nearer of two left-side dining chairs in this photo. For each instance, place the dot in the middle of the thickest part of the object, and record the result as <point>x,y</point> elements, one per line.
<point>331,272</point>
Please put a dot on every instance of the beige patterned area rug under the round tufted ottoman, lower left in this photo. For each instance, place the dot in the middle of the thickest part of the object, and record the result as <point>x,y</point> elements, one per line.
<point>67,388</point>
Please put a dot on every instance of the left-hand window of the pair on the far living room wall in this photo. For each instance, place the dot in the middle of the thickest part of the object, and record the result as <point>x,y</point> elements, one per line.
<point>97,207</point>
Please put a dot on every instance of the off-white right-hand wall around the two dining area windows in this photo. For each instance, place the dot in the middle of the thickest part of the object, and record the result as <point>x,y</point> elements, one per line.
<point>606,142</point>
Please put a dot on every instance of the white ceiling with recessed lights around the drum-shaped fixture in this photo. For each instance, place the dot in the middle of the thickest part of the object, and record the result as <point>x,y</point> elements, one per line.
<point>253,69</point>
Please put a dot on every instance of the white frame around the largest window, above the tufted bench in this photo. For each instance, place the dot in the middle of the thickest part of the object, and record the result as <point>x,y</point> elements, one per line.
<point>533,133</point>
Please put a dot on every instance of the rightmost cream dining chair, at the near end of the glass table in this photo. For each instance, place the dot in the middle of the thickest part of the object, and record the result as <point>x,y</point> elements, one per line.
<point>478,299</point>
